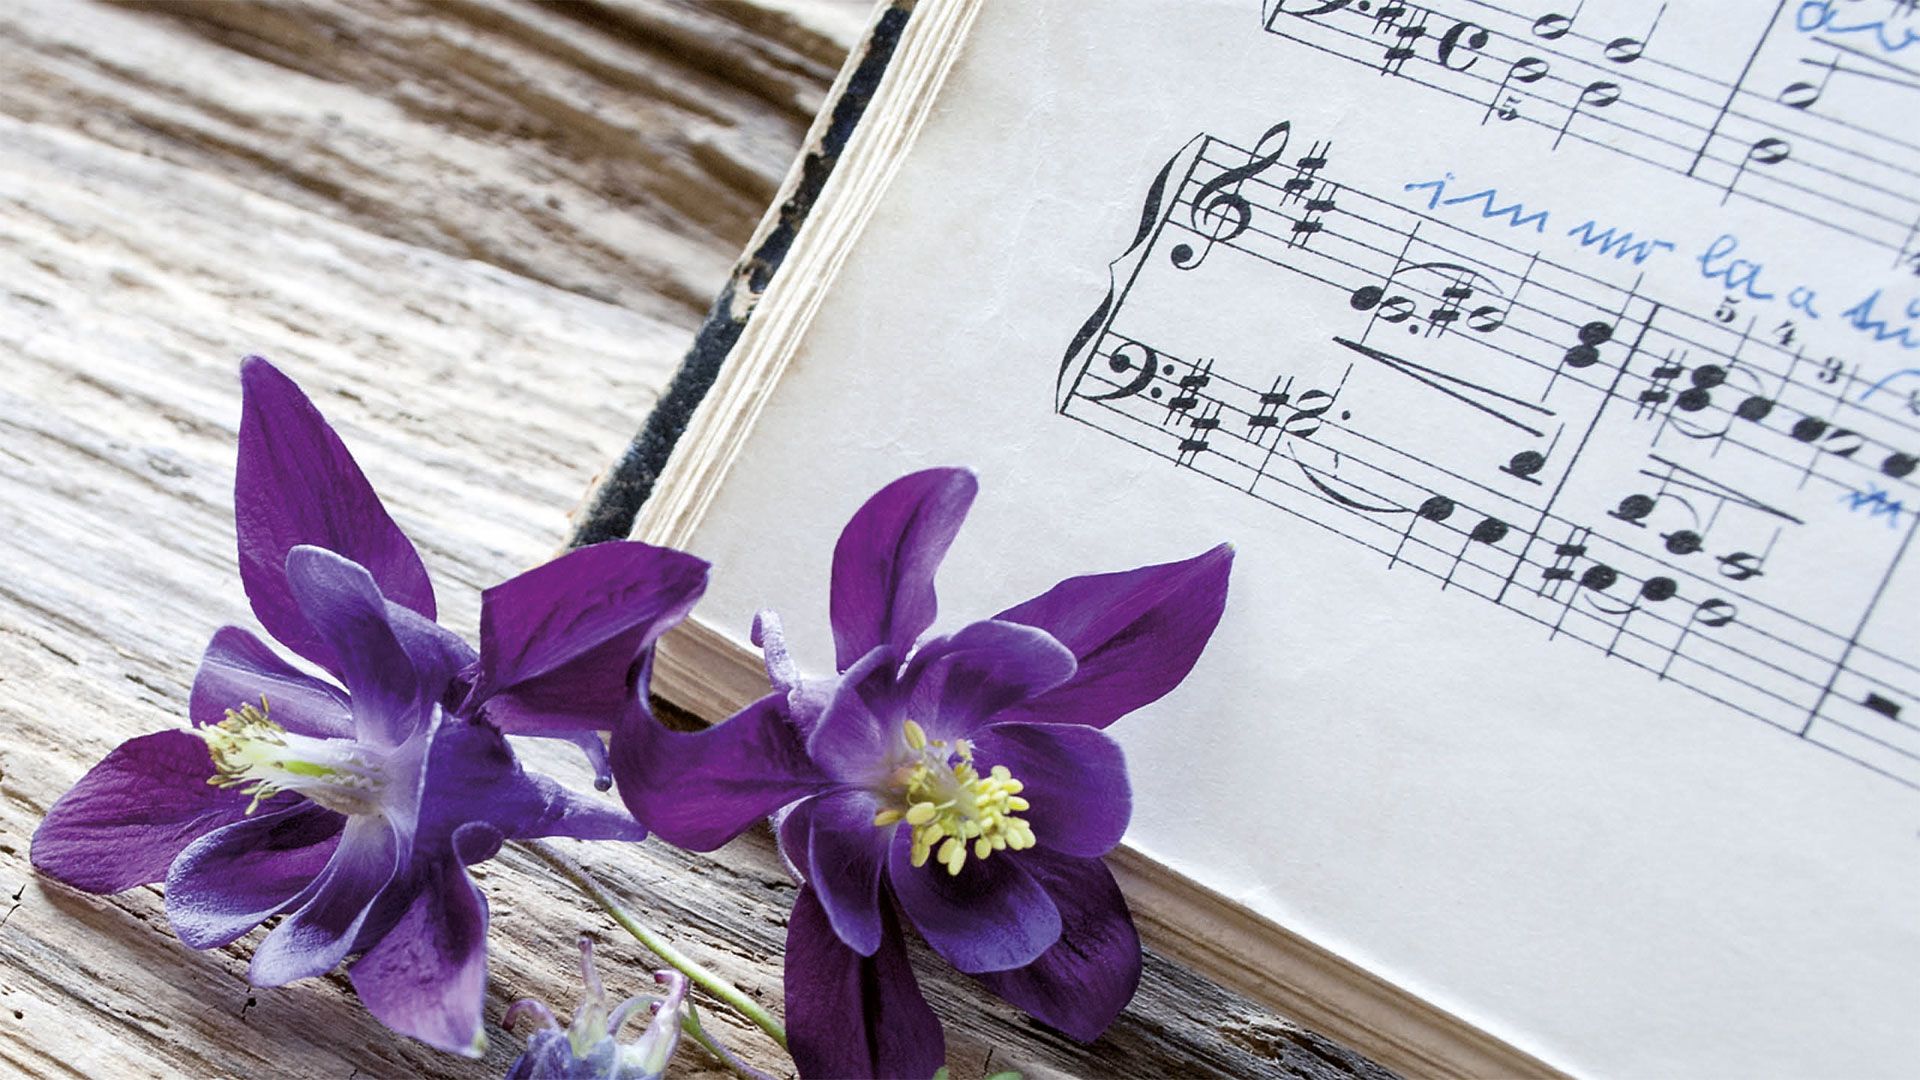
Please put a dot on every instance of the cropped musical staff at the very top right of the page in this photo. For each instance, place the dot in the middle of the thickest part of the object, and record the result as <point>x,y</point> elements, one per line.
<point>1765,132</point>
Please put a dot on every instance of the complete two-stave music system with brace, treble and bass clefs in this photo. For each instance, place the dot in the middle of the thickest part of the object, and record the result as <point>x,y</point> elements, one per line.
<point>1666,485</point>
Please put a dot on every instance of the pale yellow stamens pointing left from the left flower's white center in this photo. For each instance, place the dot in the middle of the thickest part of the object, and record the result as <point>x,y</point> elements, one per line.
<point>258,756</point>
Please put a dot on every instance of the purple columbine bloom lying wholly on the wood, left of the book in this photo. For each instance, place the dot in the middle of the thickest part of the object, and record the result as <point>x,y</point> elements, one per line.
<point>354,808</point>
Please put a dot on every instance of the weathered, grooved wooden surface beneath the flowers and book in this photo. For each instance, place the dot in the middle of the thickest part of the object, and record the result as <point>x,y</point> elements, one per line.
<point>479,233</point>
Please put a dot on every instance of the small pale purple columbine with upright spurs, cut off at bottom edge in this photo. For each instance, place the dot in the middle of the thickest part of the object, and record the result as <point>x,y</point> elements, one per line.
<point>588,1048</point>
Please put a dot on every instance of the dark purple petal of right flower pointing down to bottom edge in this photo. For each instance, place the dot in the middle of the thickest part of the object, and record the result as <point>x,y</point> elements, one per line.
<point>852,1016</point>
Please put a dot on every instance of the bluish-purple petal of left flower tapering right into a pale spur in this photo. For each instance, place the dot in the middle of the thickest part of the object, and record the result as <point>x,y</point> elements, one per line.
<point>473,777</point>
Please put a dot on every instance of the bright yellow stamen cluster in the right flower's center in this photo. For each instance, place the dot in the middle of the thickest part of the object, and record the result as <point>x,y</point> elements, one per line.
<point>951,804</point>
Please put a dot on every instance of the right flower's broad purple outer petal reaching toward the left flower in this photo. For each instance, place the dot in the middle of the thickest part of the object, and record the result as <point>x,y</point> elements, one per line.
<point>698,791</point>
